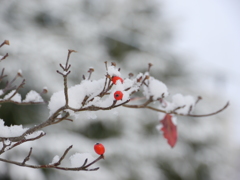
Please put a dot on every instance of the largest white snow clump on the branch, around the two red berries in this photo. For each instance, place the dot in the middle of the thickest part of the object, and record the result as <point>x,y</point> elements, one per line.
<point>90,88</point>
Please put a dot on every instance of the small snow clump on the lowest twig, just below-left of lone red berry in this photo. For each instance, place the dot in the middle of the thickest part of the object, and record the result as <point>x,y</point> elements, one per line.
<point>78,159</point>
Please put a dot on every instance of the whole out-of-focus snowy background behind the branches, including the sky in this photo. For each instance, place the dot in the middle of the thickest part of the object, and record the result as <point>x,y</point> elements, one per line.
<point>194,49</point>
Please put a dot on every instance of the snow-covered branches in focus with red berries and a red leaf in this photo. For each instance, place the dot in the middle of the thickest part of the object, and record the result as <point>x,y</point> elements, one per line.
<point>108,92</point>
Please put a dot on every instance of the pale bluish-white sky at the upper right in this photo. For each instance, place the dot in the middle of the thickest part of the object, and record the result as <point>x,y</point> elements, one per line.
<point>209,32</point>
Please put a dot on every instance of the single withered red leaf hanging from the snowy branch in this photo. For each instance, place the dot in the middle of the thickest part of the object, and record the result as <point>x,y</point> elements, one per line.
<point>169,129</point>
